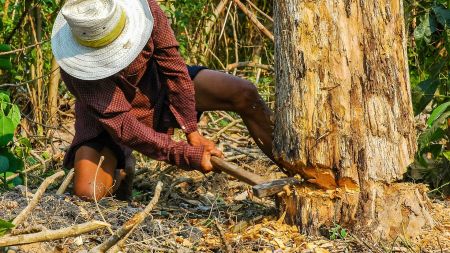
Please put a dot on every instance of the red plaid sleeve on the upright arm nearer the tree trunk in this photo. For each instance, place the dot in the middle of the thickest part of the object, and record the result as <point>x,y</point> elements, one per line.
<point>172,66</point>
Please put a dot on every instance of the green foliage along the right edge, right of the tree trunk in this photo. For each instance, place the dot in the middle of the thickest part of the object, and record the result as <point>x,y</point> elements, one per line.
<point>429,60</point>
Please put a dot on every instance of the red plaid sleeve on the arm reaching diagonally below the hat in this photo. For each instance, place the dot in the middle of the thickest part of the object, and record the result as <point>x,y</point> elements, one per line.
<point>107,102</point>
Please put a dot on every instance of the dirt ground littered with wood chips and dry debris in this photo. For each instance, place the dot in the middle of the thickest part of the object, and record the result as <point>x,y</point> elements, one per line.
<point>195,213</point>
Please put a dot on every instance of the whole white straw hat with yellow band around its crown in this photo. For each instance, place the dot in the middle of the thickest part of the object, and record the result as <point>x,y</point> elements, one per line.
<point>95,39</point>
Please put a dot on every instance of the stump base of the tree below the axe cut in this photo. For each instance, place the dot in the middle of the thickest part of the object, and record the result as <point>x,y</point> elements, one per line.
<point>382,211</point>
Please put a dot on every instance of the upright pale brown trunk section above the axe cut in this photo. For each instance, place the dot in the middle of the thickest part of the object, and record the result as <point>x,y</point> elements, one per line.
<point>343,99</point>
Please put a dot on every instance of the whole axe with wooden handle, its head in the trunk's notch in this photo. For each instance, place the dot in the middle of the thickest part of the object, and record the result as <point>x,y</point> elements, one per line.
<point>261,187</point>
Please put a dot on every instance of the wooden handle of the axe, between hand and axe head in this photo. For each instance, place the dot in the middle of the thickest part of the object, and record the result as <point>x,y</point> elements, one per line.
<point>237,172</point>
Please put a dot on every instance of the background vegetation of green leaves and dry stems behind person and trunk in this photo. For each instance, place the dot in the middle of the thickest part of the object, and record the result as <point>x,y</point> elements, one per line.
<point>217,34</point>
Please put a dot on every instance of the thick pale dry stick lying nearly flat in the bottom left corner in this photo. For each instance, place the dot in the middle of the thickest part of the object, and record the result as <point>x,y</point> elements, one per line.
<point>49,235</point>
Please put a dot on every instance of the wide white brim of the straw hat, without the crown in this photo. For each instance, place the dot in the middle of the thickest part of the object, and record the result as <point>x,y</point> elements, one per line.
<point>97,63</point>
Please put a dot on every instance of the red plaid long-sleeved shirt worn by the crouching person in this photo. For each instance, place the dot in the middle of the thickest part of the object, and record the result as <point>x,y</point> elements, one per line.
<point>140,105</point>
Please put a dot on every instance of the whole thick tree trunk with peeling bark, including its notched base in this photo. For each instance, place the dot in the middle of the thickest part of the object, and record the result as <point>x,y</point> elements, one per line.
<point>344,116</point>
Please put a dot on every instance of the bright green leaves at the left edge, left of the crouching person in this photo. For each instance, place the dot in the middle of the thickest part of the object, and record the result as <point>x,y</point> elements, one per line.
<point>11,153</point>
